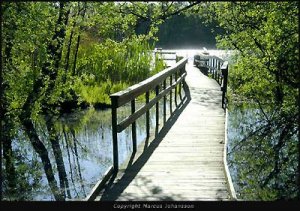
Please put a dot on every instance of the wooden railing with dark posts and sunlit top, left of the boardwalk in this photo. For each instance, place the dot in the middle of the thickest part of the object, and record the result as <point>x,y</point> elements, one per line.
<point>130,95</point>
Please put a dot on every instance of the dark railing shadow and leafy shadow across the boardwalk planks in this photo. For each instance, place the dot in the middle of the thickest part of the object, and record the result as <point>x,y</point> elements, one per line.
<point>115,187</point>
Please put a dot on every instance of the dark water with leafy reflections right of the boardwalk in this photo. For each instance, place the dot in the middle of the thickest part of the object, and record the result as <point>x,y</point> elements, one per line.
<point>251,159</point>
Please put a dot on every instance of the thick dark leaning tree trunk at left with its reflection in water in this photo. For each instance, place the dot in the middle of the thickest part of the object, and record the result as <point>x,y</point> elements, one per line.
<point>55,52</point>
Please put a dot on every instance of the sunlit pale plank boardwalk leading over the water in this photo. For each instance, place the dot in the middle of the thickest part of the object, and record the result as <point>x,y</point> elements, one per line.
<point>186,161</point>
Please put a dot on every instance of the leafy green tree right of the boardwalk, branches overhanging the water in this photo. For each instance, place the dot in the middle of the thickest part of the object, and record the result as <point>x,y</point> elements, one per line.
<point>265,72</point>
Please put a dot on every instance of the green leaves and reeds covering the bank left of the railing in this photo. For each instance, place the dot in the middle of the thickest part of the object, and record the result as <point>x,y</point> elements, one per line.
<point>109,52</point>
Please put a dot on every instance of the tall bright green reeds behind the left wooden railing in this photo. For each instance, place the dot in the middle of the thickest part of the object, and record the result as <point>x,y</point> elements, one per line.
<point>109,67</point>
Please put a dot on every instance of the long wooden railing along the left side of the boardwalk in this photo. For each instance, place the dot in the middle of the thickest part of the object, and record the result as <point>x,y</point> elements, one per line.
<point>155,82</point>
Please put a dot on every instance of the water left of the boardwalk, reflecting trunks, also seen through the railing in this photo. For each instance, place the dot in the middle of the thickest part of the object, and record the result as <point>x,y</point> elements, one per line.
<point>86,144</point>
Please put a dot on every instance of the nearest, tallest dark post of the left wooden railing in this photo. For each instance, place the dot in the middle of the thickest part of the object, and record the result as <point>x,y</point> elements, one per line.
<point>114,133</point>
